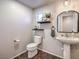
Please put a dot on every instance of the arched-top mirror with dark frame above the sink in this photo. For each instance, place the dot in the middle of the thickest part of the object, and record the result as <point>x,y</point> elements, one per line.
<point>68,22</point>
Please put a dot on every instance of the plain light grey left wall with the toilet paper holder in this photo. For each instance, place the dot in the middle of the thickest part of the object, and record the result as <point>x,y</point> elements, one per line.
<point>15,24</point>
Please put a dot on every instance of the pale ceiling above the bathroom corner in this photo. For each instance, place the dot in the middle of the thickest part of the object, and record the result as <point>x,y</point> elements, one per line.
<point>35,3</point>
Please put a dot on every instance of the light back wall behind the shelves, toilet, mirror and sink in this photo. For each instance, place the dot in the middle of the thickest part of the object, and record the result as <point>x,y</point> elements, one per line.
<point>50,44</point>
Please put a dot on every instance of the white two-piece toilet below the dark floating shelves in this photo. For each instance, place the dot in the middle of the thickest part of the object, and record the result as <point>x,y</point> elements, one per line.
<point>32,47</point>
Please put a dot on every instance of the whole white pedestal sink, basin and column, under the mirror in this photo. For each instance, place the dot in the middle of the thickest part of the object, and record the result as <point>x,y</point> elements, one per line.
<point>67,41</point>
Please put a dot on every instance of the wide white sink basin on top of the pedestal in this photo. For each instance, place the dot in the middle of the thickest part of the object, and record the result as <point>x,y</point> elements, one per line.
<point>68,40</point>
